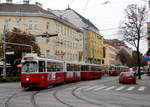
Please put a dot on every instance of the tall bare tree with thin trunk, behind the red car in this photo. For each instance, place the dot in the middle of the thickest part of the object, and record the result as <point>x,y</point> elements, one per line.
<point>132,28</point>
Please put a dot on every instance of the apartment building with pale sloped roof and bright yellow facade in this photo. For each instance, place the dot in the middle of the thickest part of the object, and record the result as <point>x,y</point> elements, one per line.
<point>93,48</point>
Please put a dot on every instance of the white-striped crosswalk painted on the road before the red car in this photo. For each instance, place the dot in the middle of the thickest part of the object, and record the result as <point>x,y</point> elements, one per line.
<point>115,88</point>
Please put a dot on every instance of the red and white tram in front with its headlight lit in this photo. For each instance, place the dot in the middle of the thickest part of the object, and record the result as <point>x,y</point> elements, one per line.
<point>42,72</point>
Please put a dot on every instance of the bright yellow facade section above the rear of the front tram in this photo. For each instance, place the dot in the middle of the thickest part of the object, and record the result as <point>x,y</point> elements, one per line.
<point>95,48</point>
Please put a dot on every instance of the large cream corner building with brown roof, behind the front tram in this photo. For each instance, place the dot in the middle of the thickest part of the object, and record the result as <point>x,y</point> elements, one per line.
<point>67,45</point>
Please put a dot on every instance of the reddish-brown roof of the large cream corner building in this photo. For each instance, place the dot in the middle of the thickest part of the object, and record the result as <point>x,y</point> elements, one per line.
<point>31,9</point>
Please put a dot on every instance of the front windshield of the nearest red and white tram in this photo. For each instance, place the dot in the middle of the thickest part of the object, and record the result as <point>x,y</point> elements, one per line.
<point>29,67</point>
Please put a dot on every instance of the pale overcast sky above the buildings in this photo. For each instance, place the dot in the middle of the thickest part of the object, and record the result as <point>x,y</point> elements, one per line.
<point>104,14</point>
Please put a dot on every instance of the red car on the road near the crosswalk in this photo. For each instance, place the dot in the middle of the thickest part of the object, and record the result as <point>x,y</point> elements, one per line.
<point>127,77</point>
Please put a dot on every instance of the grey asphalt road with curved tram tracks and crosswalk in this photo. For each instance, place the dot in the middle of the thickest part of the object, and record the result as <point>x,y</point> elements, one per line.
<point>105,92</point>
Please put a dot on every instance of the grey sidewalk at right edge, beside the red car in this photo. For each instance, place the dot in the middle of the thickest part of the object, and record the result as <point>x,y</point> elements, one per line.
<point>144,81</point>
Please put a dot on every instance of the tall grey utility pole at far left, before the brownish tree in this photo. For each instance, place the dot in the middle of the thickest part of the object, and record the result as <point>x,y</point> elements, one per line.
<point>4,52</point>
